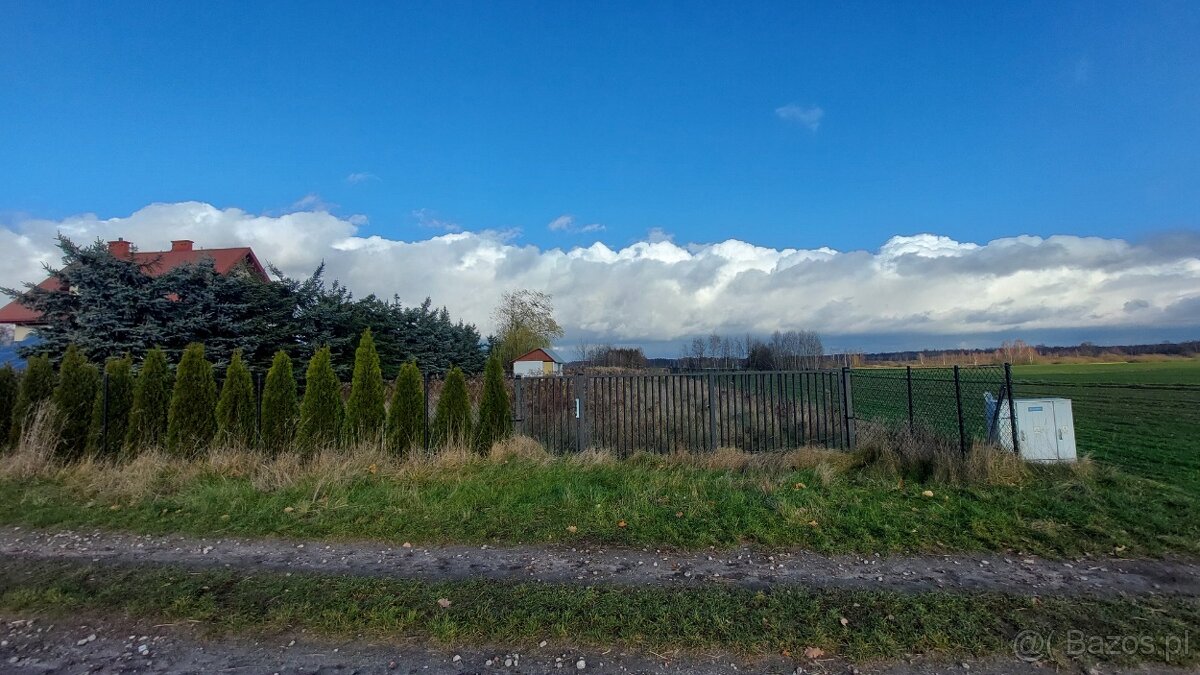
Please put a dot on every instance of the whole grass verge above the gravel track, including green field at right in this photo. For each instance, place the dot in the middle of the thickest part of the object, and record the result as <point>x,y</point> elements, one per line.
<point>1141,495</point>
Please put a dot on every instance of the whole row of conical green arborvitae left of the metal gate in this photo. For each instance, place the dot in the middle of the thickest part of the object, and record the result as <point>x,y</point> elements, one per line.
<point>118,411</point>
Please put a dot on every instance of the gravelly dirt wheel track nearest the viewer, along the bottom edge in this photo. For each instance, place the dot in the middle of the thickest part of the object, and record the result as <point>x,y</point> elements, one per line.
<point>103,644</point>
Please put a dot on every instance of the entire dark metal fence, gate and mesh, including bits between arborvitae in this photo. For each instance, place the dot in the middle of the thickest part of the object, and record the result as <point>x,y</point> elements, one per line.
<point>751,411</point>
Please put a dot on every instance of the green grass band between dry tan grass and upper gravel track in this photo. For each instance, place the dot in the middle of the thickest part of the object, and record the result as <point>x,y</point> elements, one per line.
<point>662,503</point>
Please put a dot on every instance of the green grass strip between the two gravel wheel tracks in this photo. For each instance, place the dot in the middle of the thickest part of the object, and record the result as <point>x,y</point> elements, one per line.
<point>878,625</point>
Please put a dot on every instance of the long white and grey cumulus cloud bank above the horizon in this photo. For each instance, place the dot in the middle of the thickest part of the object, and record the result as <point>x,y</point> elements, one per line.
<point>659,291</point>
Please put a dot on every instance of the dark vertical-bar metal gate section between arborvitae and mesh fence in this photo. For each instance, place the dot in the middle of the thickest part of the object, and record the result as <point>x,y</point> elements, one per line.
<point>687,413</point>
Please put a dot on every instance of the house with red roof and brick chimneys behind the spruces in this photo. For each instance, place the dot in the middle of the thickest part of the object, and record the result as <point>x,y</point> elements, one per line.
<point>237,261</point>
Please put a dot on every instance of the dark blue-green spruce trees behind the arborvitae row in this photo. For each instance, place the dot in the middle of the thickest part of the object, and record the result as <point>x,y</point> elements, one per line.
<point>112,306</point>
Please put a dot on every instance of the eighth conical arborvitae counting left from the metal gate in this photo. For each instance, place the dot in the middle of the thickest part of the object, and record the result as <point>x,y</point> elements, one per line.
<point>193,421</point>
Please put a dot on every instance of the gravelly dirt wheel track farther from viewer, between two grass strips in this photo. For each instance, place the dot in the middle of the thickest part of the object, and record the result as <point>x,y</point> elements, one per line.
<point>632,568</point>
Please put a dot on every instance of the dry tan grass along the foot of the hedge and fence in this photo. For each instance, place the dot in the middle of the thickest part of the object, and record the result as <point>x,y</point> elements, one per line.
<point>885,453</point>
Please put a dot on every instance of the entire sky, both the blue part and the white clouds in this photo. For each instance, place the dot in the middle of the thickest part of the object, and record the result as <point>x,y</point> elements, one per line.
<point>891,175</point>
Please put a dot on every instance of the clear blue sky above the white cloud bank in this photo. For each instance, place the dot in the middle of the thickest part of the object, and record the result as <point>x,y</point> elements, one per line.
<point>969,121</point>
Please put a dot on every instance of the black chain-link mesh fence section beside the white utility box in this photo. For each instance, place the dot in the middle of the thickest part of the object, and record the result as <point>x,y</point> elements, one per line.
<point>962,404</point>
